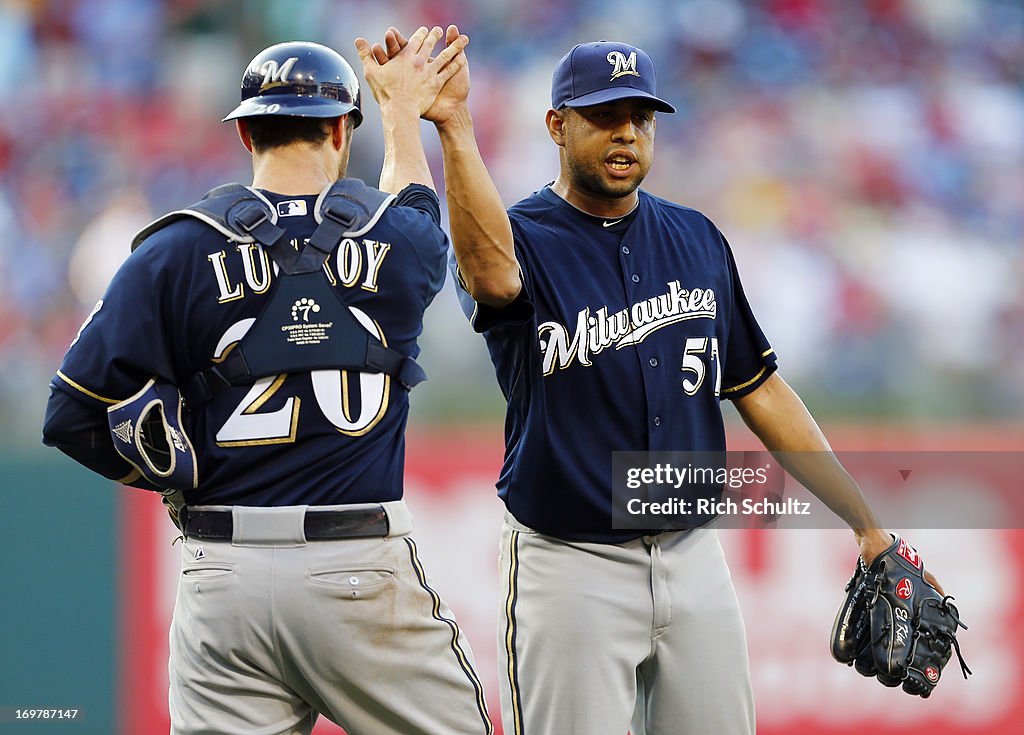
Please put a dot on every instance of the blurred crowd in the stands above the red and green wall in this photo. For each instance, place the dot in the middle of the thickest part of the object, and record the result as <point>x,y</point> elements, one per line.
<point>865,159</point>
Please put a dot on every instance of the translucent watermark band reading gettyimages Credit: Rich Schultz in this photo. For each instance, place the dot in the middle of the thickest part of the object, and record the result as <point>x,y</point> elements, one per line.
<point>908,490</point>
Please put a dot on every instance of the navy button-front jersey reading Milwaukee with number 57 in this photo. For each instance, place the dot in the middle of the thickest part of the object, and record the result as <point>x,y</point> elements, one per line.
<point>642,319</point>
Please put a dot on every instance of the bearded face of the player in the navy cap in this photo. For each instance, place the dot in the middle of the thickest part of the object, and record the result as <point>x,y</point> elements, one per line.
<point>609,148</point>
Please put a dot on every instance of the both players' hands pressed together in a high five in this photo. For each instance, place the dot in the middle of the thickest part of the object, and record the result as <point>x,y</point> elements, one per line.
<point>403,71</point>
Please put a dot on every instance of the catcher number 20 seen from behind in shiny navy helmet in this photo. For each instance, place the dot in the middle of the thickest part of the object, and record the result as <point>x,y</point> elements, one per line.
<point>287,315</point>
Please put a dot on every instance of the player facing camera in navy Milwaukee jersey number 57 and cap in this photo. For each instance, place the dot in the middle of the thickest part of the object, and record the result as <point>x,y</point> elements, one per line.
<point>616,321</point>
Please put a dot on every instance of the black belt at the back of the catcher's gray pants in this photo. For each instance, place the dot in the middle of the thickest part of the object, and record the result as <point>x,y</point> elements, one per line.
<point>319,526</point>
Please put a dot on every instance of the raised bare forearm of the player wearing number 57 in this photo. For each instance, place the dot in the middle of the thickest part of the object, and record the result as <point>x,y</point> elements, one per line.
<point>482,235</point>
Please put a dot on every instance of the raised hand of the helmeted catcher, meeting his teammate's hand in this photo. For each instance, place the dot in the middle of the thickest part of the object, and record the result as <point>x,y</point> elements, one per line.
<point>403,72</point>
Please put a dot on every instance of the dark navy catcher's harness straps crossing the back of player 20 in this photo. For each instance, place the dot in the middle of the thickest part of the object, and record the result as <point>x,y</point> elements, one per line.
<point>306,324</point>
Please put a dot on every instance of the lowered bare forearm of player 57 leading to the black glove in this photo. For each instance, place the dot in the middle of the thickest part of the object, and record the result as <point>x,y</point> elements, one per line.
<point>781,420</point>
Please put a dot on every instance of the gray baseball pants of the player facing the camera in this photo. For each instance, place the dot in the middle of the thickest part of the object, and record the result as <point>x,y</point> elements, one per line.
<point>598,639</point>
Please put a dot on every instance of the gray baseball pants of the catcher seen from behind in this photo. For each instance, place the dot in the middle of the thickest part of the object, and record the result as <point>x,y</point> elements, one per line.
<point>270,630</point>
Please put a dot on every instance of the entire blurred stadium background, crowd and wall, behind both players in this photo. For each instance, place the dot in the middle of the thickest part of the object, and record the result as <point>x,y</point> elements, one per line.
<point>865,159</point>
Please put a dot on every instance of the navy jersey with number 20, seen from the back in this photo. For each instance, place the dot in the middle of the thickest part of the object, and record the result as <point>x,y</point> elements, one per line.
<point>187,296</point>
